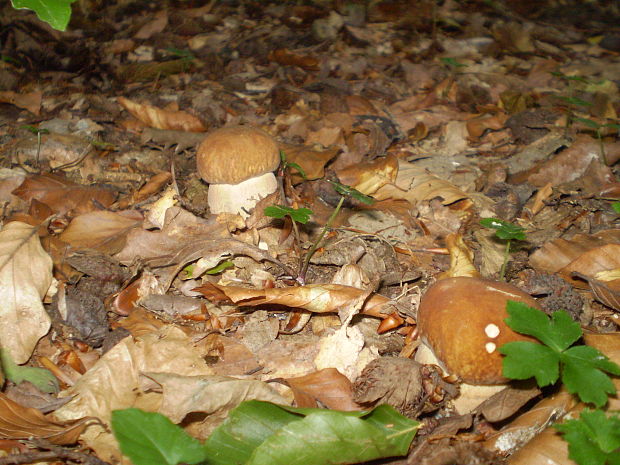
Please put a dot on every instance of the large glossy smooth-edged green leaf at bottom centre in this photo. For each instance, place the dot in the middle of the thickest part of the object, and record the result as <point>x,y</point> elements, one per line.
<point>260,433</point>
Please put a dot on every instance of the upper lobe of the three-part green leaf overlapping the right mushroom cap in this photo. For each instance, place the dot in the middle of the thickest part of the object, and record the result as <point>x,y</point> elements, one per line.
<point>559,333</point>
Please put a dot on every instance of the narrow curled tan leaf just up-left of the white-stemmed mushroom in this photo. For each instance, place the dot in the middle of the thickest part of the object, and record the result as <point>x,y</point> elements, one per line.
<point>162,119</point>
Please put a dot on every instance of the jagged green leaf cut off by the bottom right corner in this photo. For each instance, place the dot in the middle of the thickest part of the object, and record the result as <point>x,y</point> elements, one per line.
<point>593,439</point>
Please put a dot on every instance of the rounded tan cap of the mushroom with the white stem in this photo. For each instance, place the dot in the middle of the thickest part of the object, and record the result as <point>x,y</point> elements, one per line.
<point>234,154</point>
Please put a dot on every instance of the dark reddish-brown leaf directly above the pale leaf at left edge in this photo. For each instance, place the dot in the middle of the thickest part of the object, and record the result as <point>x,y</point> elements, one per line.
<point>63,196</point>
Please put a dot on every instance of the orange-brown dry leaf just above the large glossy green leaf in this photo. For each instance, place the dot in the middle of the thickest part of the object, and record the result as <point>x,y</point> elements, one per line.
<point>327,386</point>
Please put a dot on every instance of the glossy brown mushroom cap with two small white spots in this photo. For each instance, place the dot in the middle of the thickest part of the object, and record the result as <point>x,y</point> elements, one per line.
<point>462,321</point>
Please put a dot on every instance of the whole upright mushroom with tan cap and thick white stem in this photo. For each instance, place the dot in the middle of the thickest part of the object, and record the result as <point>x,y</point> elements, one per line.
<point>238,163</point>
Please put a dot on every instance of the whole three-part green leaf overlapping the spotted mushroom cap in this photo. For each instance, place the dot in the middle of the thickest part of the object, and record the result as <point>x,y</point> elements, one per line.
<point>582,368</point>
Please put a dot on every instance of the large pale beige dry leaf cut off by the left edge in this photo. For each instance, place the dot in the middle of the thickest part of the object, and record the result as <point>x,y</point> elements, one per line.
<point>25,277</point>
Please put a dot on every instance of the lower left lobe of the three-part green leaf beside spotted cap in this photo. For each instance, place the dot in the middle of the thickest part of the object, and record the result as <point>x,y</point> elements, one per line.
<point>525,360</point>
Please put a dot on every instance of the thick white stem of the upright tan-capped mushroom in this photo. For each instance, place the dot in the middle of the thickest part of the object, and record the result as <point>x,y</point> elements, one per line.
<point>241,198</point>
